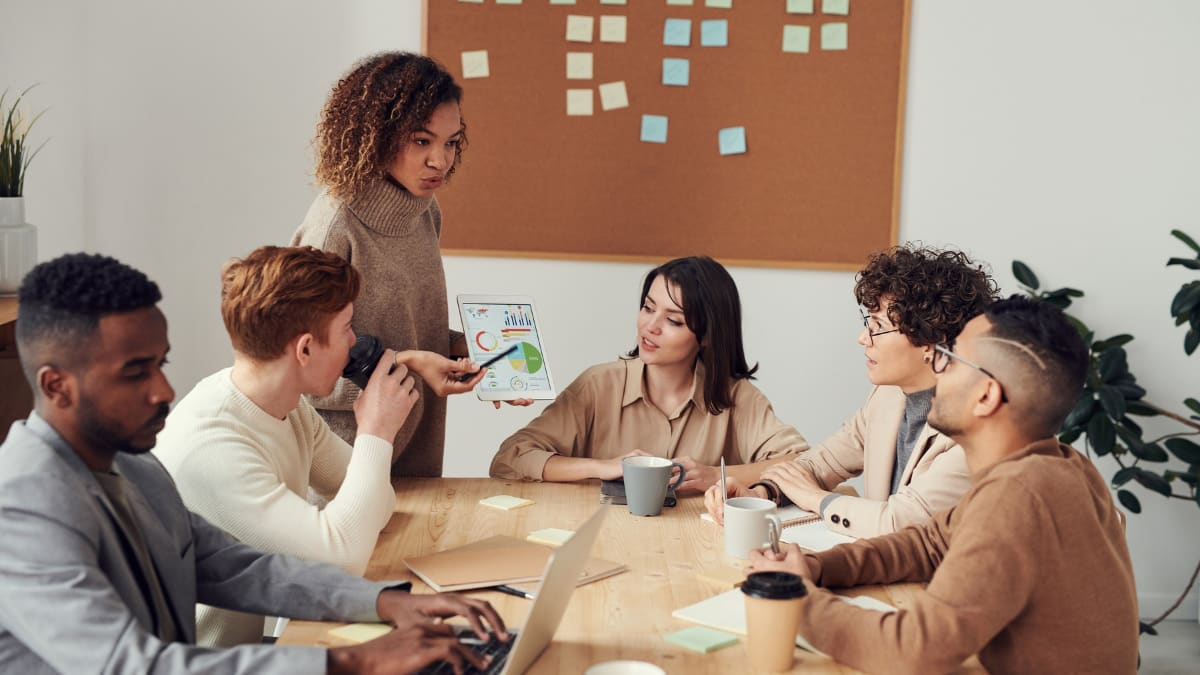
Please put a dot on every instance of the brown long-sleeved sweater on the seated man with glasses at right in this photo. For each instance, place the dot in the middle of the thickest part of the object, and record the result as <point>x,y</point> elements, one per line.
<point>1030,570</point>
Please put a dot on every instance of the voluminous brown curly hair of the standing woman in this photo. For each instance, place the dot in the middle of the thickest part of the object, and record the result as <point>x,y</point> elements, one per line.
<point>373,112</point>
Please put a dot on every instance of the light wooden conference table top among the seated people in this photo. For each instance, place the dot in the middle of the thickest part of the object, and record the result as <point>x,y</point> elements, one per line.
<point>621,618</point>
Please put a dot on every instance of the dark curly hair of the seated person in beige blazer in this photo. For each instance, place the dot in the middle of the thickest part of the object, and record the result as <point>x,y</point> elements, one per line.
<point>934,294</point>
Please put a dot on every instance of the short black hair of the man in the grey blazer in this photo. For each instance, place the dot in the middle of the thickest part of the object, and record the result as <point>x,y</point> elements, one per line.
<point>61,303</point>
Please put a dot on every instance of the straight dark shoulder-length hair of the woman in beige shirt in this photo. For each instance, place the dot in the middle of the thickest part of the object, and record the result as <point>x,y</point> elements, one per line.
<point>712,309</point>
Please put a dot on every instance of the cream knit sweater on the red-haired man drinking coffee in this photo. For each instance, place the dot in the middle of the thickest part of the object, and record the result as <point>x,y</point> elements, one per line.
<point>250,474</point>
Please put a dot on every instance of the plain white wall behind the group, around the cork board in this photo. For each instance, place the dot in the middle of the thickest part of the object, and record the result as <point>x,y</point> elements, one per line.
<point>1063,134</point>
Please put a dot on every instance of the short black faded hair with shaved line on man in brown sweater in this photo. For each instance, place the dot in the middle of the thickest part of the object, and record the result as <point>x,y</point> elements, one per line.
<point>1051,391</point>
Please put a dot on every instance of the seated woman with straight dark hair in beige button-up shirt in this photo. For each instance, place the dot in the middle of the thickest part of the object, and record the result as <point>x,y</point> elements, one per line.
<point>682,393</point>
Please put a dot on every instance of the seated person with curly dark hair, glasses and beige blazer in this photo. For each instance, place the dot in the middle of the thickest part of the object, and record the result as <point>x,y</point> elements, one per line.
<point>913,300</point>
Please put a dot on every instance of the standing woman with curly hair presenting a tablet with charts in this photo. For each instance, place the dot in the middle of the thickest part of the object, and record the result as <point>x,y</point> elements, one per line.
<point>391,135</point>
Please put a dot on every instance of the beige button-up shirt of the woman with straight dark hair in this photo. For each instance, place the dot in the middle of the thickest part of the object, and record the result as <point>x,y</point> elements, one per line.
<point>604,415</point>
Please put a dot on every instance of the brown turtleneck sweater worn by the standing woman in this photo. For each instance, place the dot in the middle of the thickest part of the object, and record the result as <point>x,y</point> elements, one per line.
<point>392,237</point>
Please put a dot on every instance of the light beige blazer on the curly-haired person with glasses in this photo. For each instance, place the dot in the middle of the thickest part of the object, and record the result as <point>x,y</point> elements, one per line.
<point>934,480</point>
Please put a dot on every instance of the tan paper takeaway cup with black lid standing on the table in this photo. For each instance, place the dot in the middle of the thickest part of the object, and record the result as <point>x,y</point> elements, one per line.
<point>773,614</point>
